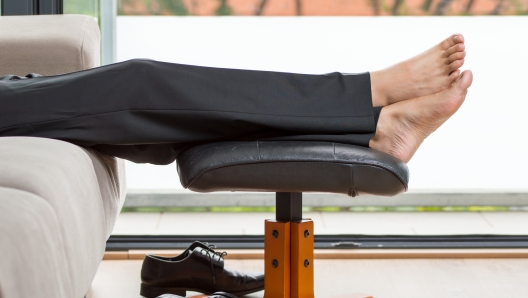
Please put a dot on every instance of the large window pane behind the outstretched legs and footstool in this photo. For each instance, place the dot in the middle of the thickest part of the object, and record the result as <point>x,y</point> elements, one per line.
<point>452,190</point>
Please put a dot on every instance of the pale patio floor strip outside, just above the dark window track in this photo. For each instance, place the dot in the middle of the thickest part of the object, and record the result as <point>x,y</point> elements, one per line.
<point>387,223</point>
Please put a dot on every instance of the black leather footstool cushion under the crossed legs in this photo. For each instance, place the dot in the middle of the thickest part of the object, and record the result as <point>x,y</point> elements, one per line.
<point>291,166</point>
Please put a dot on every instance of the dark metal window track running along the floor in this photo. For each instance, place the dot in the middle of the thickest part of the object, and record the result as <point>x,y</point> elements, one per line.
<point>122,242</point>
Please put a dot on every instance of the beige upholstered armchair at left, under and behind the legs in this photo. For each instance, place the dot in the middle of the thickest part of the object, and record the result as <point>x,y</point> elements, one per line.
<point>58,201</point>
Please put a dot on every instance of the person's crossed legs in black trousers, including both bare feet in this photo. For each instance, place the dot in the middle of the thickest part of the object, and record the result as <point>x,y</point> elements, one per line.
<point>148,111</point>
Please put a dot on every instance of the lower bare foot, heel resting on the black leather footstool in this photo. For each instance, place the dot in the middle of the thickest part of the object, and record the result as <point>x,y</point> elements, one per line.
<point>403,126</point>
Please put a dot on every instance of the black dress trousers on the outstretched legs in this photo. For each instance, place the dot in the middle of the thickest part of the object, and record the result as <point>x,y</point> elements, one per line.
<point>148,111</point>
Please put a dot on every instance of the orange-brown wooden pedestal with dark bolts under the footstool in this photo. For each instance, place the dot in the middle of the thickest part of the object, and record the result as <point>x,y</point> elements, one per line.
<point>288,257</point>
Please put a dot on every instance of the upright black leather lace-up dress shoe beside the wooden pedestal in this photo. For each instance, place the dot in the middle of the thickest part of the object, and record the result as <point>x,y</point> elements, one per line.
<point>199,268</point>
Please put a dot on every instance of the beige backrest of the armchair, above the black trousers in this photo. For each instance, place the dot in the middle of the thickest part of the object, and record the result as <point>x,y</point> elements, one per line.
<point>48,44</point>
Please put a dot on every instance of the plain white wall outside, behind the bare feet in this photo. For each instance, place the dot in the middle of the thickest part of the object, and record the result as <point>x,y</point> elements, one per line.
<point>484,146</point>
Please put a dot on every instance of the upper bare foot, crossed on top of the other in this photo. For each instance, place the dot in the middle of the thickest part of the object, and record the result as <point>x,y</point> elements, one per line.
<point>431,72</point>
